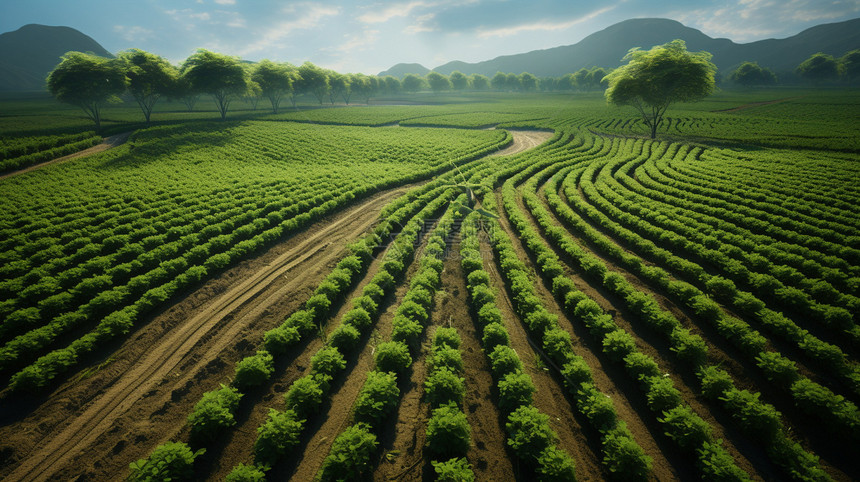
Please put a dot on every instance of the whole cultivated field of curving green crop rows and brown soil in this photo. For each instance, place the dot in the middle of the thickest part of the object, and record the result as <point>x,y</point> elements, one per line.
<point>521,286</point>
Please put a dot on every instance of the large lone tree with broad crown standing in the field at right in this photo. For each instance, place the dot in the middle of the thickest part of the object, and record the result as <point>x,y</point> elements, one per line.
<point>653,79</point>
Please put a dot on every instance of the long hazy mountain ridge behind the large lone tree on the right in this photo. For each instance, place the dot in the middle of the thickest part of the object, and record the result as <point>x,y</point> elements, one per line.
<point>607,47</point>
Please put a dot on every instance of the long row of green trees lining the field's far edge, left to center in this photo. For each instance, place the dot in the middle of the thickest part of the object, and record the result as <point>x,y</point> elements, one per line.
<point>90,82</point>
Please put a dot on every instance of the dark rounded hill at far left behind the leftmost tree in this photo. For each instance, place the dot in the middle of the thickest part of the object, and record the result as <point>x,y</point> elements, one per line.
<point>29,53</point>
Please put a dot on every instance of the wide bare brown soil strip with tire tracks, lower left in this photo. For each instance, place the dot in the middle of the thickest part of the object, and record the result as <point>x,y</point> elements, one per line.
<point>96,426</point>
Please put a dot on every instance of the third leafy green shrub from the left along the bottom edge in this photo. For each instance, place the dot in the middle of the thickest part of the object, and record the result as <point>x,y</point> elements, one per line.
<point>350,454</point>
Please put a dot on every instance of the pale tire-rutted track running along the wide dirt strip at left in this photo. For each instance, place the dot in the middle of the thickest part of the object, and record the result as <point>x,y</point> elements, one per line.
<point>312,248</point>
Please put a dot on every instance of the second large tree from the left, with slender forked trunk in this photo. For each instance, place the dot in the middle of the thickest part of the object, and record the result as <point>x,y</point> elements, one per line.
<point>149,78</point>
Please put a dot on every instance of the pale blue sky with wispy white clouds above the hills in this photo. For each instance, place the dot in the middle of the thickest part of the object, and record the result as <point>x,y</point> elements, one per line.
<point>369,36</point>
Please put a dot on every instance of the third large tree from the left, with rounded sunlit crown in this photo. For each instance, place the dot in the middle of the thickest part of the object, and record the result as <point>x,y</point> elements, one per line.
<point>218,75</point>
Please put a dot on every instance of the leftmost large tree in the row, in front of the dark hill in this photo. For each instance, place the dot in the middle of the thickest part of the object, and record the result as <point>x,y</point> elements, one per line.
<point>87,81</point>
